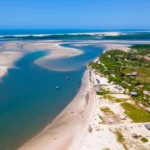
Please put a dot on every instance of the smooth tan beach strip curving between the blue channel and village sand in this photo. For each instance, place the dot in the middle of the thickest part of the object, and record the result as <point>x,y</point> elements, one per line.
<point>69,127</point>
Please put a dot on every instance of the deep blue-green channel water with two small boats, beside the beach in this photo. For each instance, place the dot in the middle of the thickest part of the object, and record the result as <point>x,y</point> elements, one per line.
<point>29,99</point>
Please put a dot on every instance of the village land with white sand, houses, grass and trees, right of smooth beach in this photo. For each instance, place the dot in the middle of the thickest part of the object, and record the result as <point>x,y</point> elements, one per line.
<point>122,117</point>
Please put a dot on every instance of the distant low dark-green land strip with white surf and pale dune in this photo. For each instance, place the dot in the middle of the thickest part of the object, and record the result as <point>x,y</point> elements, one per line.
<point>92,35</point>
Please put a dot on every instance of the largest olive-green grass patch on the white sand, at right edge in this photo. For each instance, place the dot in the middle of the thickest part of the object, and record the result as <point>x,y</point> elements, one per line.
<point>136,114</point>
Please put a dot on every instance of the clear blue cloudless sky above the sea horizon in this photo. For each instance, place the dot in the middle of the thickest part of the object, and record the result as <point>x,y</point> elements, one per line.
<point>75,14</point>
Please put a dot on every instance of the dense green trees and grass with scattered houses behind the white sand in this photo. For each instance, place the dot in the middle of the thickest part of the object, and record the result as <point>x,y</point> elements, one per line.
<point>116,64</point>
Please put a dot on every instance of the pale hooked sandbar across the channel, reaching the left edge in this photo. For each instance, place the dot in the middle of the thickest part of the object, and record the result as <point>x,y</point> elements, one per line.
<point>10,52</point>
